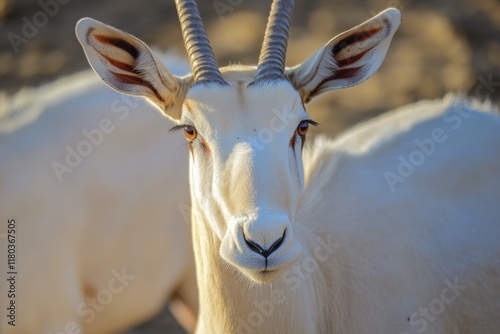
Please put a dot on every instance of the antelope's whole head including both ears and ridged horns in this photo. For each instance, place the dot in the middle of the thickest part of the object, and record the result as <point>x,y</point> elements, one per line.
<point>245,126</point>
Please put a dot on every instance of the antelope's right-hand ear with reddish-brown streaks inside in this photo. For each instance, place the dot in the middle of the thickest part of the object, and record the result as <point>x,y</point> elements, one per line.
<point>348,59</point>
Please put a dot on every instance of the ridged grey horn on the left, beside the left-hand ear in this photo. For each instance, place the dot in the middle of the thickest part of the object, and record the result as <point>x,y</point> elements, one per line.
<point>201,56</point>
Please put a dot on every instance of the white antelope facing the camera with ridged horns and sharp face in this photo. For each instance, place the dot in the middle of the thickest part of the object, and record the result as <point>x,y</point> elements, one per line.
<point>328,246</point>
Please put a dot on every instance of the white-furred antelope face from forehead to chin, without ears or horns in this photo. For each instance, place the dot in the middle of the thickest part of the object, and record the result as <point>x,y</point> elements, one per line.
<point>246,169</point>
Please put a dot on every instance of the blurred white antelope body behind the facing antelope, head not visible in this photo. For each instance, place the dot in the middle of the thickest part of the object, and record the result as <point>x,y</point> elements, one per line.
<point>101,239</point>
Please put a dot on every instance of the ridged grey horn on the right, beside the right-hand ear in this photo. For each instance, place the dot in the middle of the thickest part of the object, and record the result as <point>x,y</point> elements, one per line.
<point>272,54</point>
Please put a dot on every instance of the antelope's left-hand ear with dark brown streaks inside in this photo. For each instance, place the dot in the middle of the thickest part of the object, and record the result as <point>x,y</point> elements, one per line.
<point>127,65</point>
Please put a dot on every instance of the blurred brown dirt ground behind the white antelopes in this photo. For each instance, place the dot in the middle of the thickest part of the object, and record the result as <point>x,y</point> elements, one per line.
<point>441,46</point>
